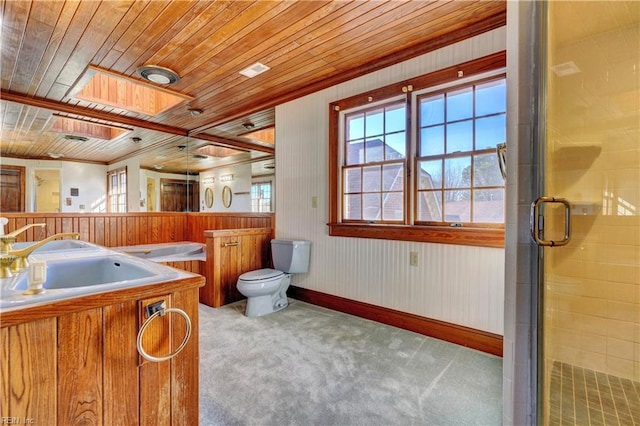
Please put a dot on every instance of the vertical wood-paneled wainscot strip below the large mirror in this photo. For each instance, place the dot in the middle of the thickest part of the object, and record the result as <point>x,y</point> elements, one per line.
<point>124,229</point>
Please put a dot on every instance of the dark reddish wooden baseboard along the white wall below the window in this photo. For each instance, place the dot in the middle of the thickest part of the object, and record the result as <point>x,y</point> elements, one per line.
<point>465,336</point>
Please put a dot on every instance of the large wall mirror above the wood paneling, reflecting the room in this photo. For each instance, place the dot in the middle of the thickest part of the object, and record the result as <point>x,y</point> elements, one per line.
<point>63,169</point>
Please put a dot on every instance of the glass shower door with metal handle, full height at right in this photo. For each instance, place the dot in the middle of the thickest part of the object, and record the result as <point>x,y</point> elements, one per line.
<point>590,156</point>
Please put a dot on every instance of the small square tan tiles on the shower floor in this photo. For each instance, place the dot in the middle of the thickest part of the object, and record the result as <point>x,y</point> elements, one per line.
<point>584,397</point>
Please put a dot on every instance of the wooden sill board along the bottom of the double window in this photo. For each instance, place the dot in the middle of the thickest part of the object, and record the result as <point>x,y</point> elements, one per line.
<point>481,237</point>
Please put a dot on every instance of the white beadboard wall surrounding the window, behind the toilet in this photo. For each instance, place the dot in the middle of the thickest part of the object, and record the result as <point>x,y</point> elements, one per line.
<point>458,284</point>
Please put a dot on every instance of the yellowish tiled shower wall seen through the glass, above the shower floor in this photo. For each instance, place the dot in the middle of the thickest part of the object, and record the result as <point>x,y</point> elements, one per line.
<point>593,136</point>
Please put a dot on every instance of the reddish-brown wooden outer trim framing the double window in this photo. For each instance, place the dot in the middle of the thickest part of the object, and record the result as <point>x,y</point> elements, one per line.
<point>473,236</point>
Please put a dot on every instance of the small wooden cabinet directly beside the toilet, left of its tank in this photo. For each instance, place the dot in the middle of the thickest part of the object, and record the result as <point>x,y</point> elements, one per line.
<point>230,253</point>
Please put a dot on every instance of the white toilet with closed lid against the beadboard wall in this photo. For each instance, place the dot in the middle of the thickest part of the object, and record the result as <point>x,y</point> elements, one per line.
<point>266,289</point>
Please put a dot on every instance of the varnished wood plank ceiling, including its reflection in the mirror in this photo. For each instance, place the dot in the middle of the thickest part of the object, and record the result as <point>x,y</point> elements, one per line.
<point>49,49</point>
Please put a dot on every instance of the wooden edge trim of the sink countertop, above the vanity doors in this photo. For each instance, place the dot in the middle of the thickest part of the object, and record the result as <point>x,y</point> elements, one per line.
<point>90,301</point>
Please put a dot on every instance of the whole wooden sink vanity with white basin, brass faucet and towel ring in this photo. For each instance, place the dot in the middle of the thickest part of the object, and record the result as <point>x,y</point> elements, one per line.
<point>72,327</point>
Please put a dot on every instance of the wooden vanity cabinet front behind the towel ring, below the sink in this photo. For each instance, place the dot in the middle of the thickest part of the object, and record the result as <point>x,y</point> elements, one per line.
<point>76,362</point>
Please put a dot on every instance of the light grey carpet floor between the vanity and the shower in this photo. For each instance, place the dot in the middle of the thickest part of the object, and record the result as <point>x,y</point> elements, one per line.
<point>307,365</point>
